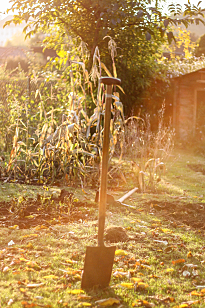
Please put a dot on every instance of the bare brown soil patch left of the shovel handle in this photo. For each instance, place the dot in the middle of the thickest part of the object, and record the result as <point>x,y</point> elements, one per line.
<point>32,213</point>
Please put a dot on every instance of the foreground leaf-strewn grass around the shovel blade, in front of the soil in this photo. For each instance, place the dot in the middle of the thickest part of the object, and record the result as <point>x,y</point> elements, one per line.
<point>148,257</point>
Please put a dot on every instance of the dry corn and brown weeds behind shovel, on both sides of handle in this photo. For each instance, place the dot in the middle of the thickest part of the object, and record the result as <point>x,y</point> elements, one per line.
<point>52,130</point>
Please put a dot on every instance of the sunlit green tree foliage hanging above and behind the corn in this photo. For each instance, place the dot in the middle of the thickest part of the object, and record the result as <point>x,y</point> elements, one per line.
<point>138,28</point>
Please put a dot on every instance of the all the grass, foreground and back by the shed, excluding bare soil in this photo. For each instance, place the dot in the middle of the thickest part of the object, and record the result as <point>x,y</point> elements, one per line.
<point>44,265</point>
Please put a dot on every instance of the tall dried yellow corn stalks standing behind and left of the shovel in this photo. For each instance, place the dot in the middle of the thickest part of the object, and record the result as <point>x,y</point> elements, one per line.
<point>54,133</point>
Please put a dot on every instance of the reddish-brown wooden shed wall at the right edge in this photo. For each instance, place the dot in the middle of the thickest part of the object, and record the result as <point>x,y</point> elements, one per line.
<point>189,104</point>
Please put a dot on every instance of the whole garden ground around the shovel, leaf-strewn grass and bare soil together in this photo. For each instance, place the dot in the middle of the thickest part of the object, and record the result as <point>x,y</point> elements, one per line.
<point>160,254</point>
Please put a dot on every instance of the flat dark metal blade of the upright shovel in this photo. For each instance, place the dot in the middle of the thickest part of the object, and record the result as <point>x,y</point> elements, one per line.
<point>98,266</point>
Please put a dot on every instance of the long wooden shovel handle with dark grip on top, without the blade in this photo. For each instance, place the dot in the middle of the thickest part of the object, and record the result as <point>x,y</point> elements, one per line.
<point>105,157</point>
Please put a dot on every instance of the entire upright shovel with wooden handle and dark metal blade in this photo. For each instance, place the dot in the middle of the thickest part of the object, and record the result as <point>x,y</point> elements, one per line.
<point>99,260</point>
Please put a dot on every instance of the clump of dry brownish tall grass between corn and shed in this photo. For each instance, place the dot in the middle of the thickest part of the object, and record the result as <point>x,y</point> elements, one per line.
<point>149,150</point>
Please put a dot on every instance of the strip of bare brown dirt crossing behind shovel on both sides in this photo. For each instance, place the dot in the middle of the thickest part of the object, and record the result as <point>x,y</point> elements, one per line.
<point>33,212</point>
